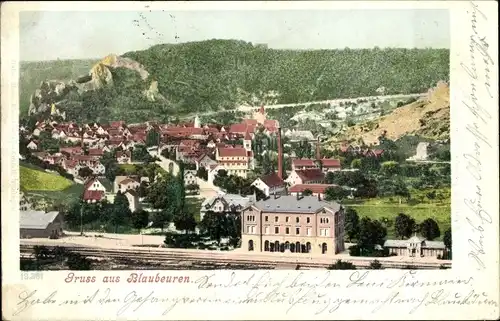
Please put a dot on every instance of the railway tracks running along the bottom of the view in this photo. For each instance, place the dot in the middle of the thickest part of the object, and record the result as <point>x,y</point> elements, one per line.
<point>218,258</point>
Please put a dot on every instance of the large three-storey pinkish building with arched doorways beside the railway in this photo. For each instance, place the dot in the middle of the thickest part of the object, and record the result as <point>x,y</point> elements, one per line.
<point>299,224</point>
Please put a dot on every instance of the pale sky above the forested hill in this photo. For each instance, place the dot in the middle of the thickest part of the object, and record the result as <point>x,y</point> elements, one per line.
<point>50,35</point>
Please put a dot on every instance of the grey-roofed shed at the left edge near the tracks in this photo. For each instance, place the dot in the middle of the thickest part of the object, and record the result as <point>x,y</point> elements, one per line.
<point>38,224</point>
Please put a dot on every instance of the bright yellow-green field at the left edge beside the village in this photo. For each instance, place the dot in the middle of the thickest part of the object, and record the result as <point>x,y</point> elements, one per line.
<point>38,180</point>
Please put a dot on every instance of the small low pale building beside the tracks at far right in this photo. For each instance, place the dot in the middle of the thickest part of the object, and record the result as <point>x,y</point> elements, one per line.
<point>416,247</point>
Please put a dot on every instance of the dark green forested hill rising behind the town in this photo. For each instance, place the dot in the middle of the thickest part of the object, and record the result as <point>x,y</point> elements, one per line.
<point>220,74</point>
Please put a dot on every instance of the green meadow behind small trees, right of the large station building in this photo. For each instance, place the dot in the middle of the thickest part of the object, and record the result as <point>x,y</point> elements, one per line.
<point>378,208</point>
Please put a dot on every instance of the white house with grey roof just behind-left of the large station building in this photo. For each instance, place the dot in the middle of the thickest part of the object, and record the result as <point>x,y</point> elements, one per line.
<point>225,203</point>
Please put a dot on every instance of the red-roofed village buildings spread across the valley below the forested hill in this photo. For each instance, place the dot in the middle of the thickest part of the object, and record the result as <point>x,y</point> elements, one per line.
<point>236,170</point>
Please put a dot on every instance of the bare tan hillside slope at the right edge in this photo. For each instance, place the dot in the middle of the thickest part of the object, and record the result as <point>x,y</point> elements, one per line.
<point>428,117</point>
